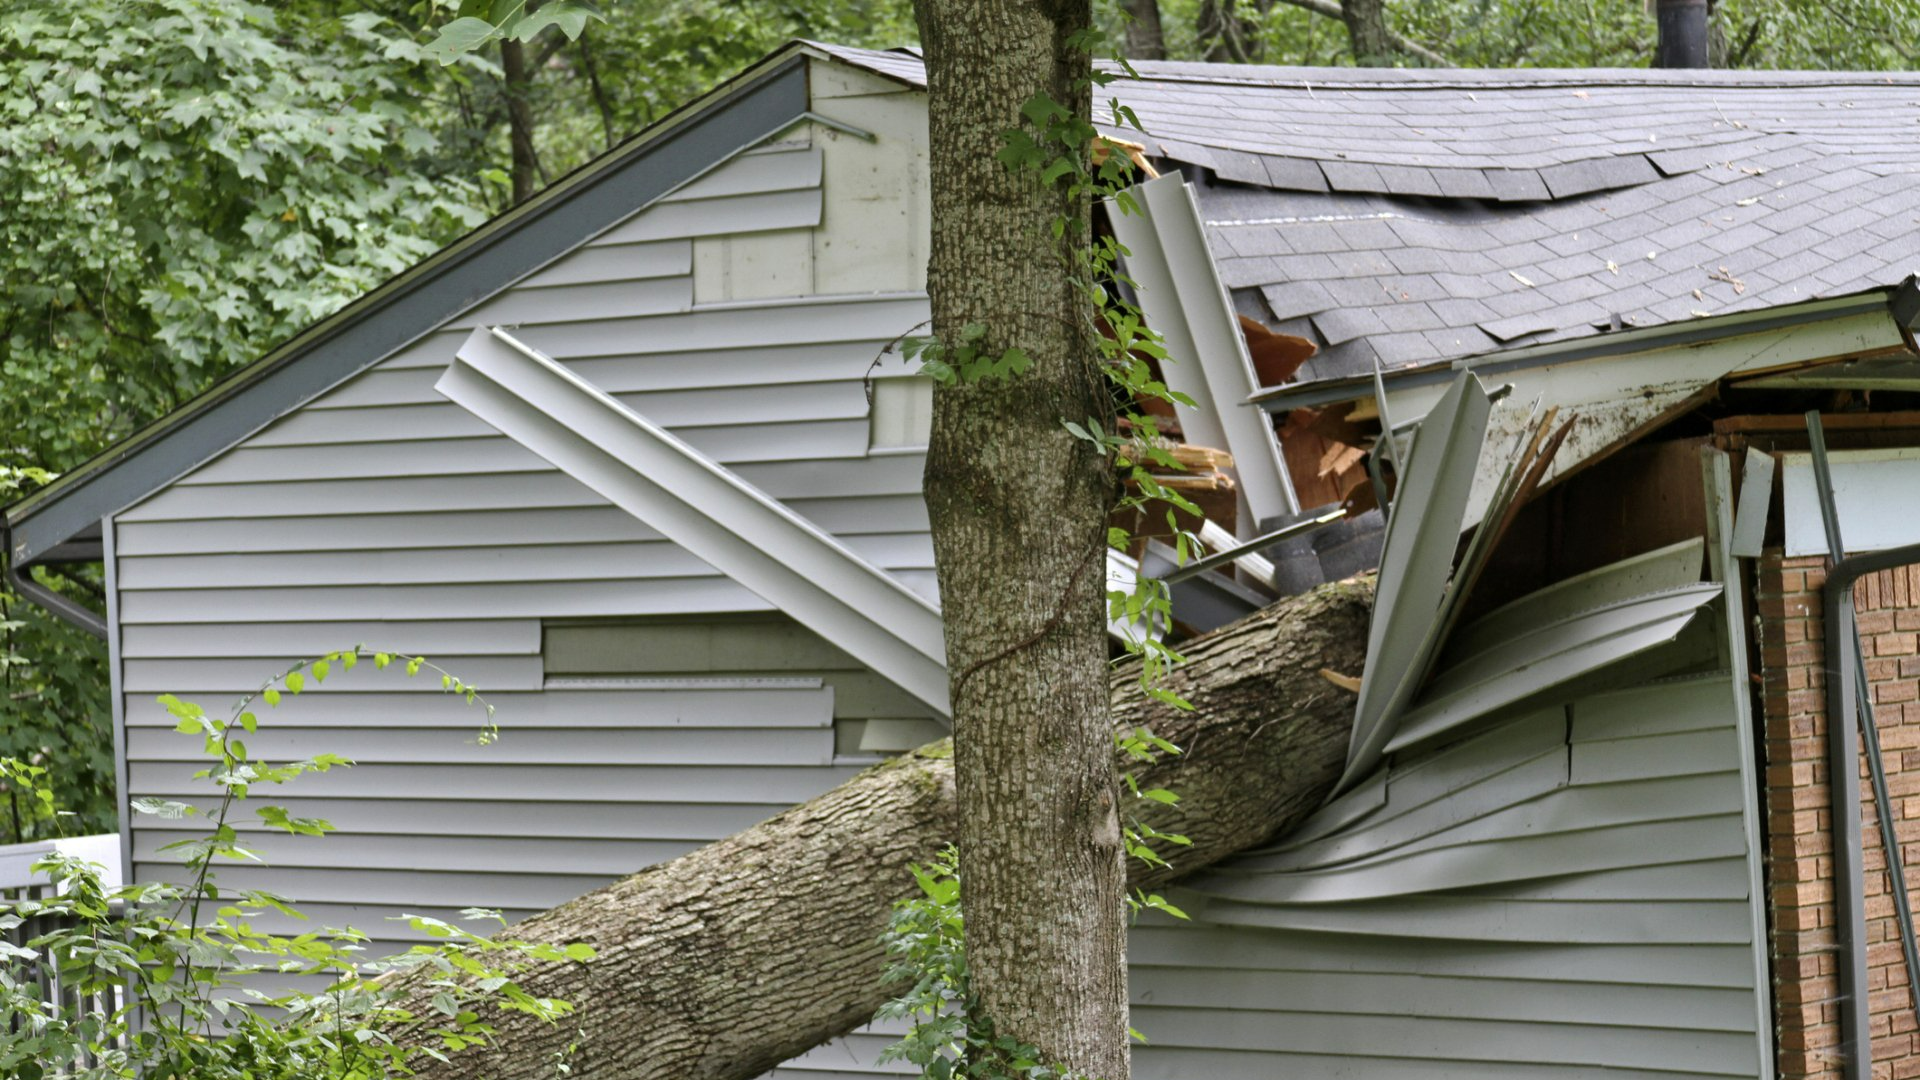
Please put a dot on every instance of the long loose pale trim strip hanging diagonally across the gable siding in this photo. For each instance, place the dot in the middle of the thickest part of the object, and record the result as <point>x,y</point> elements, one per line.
<point>702,506</point>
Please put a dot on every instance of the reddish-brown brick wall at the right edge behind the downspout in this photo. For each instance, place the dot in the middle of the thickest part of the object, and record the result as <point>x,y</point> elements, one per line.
<point>1800,868</point>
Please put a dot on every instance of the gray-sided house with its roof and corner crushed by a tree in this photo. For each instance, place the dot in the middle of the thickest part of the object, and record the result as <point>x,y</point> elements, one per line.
<point>635,458</point>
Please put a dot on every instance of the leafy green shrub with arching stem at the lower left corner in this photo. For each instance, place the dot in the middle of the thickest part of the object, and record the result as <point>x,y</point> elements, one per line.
<point>170,975</point>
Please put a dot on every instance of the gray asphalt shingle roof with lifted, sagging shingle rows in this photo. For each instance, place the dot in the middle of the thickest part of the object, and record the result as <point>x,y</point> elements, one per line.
<point>1422,216</point>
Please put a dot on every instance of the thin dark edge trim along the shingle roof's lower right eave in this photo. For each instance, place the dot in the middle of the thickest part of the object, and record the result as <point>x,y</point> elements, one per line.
<point>1900,301</point>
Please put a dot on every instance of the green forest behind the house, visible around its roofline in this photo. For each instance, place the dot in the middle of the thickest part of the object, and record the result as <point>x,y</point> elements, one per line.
<point>187,184</point>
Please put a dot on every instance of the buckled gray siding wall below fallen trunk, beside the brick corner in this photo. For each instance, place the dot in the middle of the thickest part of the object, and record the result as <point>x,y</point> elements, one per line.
<point>1593,916</point>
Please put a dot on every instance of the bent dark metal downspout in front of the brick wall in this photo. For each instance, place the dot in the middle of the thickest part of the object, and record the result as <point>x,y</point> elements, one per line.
<point>1848,706</point>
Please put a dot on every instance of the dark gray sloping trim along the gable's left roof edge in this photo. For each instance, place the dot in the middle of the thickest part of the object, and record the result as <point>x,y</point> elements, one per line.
<point>583,205</point>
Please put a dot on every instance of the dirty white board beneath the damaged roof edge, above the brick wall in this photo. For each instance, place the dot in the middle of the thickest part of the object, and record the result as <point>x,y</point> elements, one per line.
<point>1621,397</point>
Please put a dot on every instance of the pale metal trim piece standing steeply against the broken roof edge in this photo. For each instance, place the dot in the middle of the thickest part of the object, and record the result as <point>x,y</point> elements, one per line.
<point>1188,305</point>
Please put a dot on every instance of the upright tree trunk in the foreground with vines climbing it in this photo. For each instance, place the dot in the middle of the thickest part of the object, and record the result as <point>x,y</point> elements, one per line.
<point>1019,512</point>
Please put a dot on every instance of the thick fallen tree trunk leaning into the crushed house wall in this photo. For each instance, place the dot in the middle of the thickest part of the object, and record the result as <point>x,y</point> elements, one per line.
<point>731,960</point>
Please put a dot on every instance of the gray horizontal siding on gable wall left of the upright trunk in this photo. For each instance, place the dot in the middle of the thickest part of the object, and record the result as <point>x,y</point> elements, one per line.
<point>381,514</point>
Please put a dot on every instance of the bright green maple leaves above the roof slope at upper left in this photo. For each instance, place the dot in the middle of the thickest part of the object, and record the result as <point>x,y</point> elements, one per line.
<point>189,184</point>
